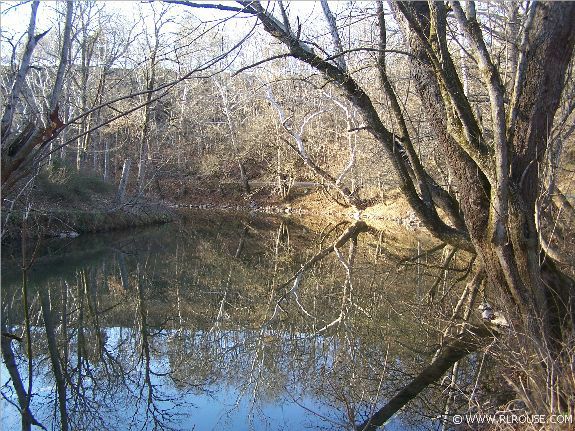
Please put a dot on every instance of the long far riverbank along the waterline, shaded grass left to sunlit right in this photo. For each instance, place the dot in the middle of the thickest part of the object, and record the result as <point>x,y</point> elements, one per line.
<point>64,203</point>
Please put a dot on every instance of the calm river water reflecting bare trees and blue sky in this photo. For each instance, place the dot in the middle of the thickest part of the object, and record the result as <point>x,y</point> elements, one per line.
<point>202,326</point>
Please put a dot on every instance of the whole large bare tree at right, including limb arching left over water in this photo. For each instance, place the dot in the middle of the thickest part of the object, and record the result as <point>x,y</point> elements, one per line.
<point>495,160</point>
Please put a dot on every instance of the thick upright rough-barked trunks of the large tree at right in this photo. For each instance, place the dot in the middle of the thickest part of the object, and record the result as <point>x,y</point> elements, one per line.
<point>531,287</point>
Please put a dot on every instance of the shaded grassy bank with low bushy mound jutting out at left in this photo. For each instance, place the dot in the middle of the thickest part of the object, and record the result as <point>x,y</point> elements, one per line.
<point>64,203</point>
